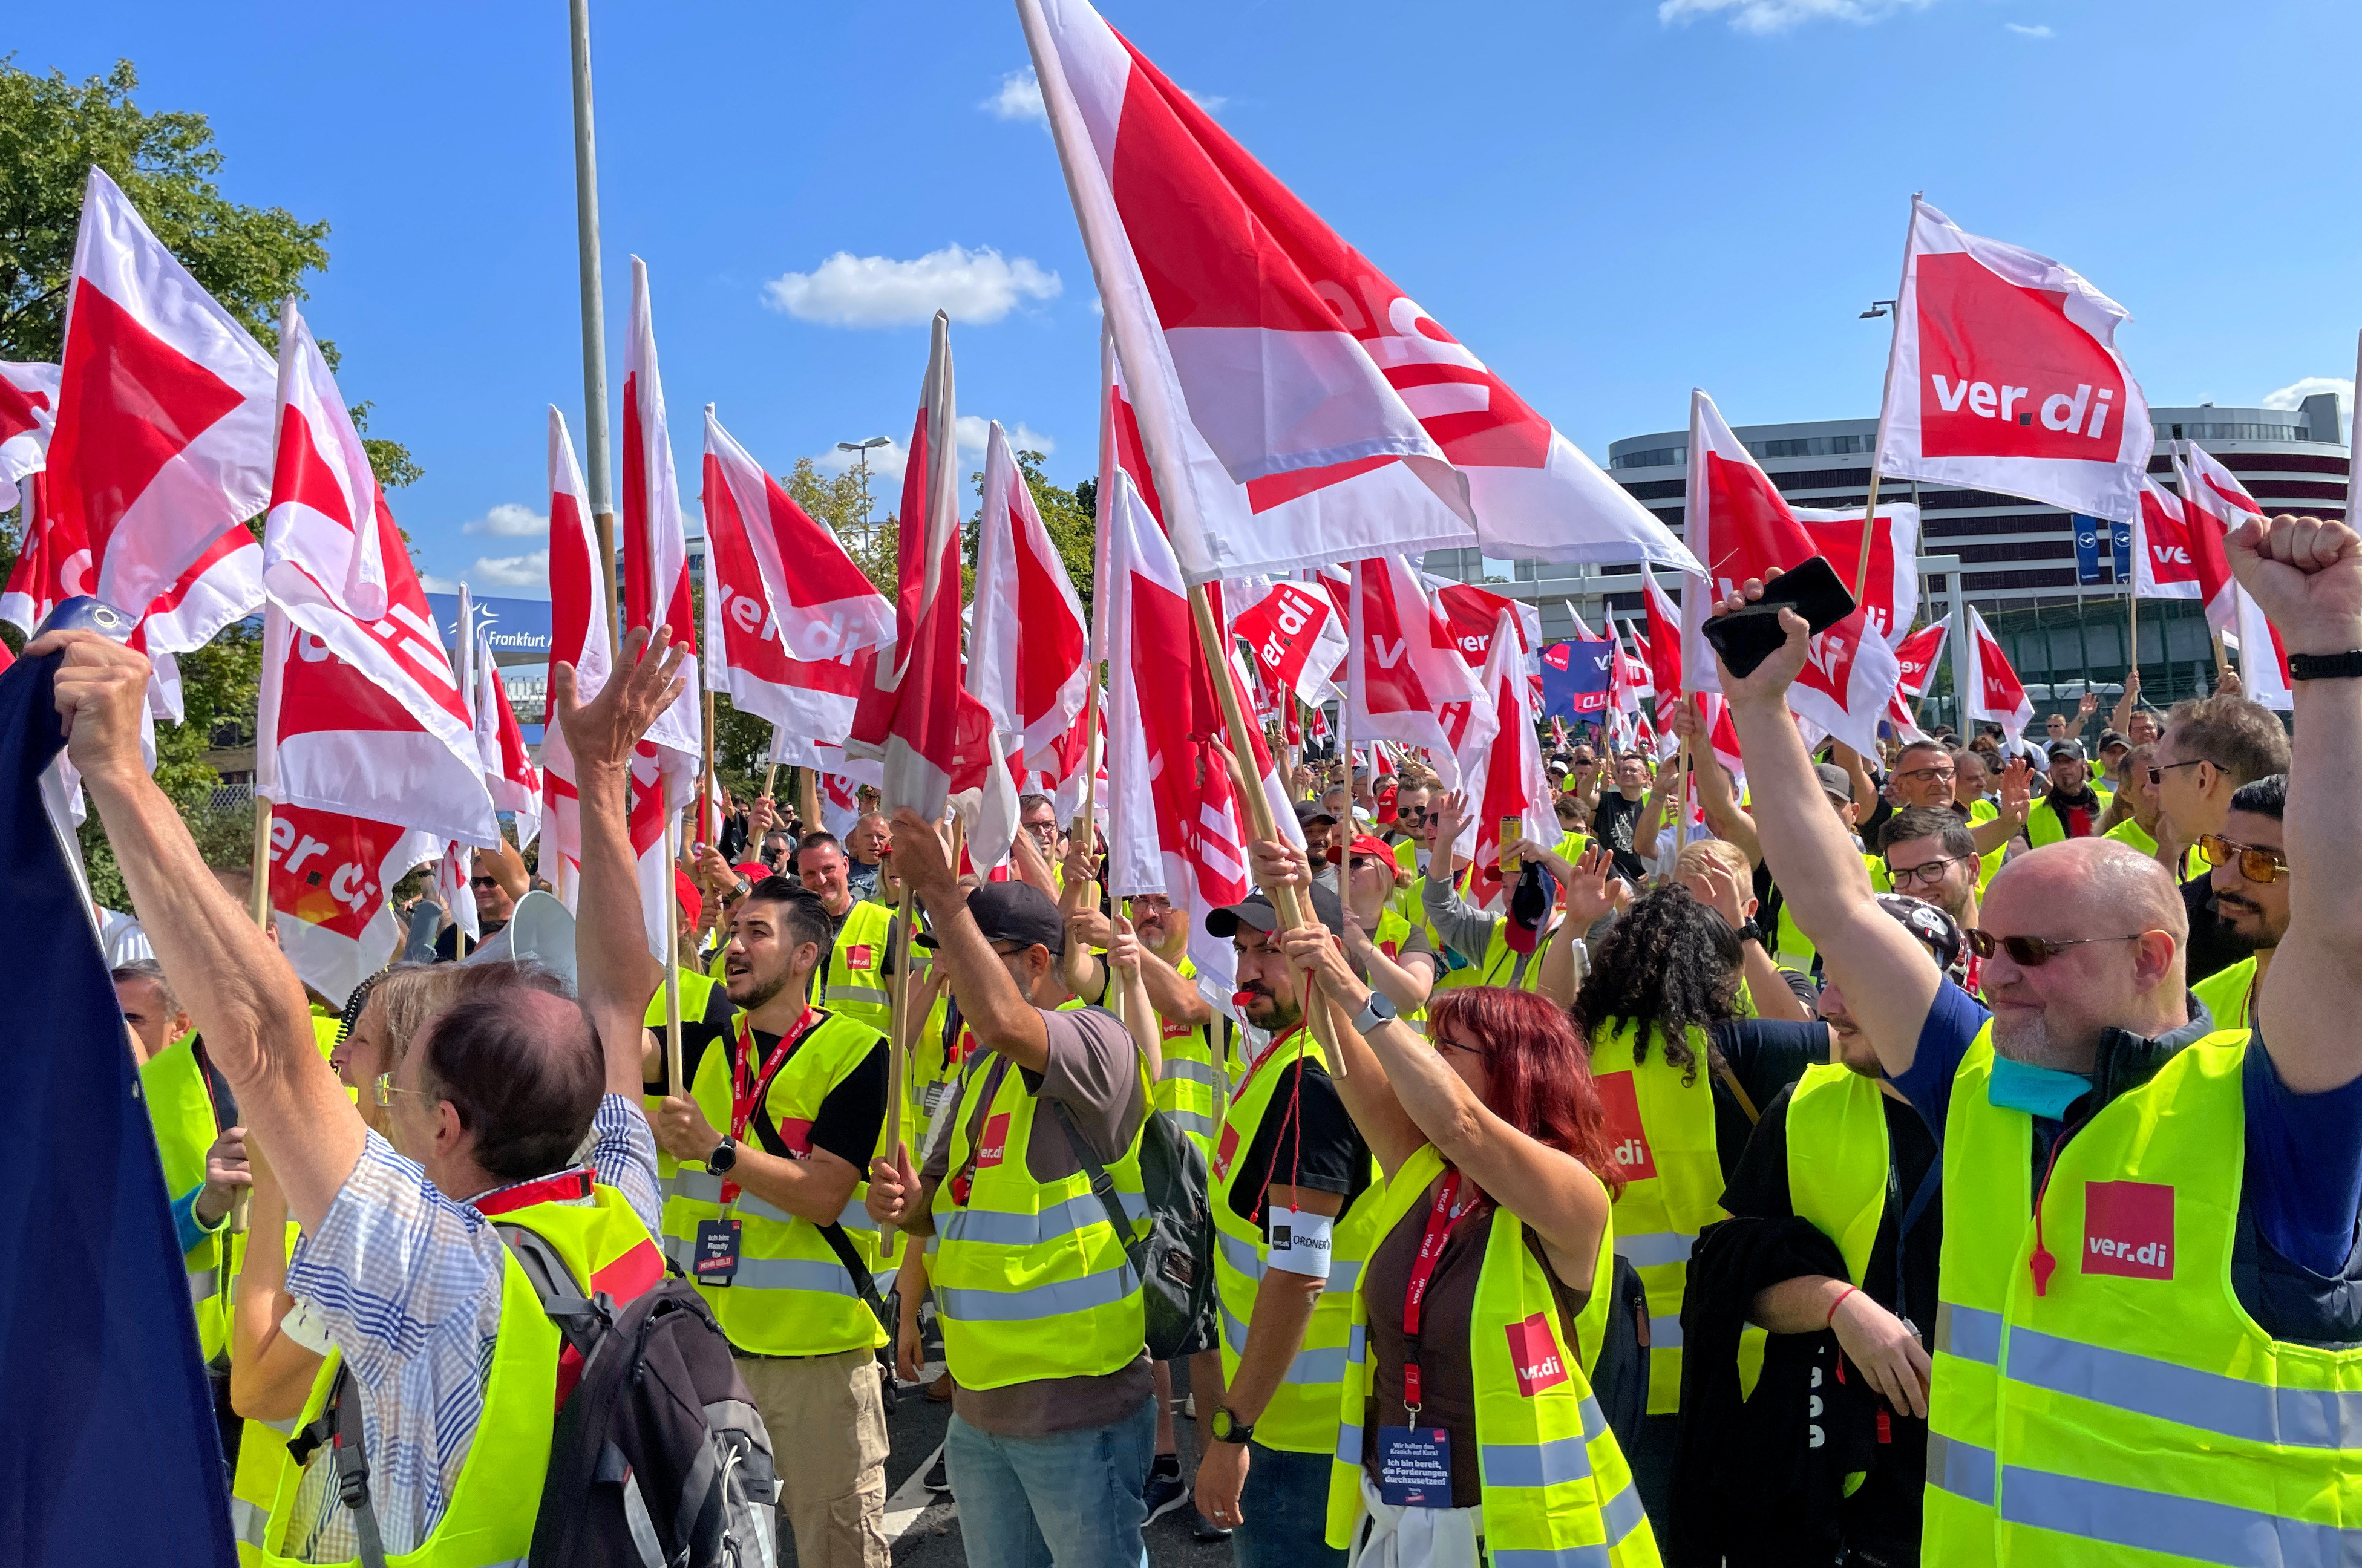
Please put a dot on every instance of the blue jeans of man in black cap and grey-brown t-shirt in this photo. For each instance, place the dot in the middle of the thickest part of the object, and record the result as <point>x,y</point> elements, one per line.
<point>1071,1501</point>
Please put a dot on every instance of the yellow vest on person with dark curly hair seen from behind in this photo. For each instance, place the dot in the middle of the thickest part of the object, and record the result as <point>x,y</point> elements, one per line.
<point>1664,1137</point>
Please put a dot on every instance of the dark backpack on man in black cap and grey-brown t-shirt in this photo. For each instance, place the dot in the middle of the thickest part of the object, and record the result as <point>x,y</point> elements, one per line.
<point>1175,1253</point>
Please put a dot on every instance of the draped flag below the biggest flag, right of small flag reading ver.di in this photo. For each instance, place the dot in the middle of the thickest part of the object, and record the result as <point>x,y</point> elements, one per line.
<point>1404,672</point>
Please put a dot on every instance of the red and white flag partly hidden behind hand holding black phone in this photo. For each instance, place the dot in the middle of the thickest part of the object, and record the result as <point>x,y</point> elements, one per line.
<point>1744,528</point>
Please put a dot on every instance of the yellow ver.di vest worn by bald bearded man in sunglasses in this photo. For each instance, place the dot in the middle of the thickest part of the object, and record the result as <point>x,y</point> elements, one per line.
<point>2129,1411</point>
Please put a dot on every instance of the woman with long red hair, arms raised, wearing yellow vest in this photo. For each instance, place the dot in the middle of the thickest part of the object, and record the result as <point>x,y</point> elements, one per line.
<point>1470,1427</point>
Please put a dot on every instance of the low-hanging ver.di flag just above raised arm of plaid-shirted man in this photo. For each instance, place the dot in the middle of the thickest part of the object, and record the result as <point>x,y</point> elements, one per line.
<point>332,877</point>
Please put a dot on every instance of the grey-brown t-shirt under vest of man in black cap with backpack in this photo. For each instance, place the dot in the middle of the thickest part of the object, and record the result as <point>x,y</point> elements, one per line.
<point>1095,1071</point>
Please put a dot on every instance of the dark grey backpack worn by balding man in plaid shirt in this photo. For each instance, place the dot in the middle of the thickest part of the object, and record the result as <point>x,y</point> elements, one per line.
<point>660,1458</point>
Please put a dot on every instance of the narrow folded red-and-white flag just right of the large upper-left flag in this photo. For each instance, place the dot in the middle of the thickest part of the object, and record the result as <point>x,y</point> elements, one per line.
<point>322,537</point>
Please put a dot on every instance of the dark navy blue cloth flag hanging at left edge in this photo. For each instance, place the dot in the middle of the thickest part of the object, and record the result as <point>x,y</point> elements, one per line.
<point>110,1451</point>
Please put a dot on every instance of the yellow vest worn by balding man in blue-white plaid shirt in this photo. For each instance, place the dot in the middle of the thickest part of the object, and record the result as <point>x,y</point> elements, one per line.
<point>490,1520</point>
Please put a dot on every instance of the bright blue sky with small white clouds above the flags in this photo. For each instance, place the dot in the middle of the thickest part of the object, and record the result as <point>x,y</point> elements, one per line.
<point>1607,200</point>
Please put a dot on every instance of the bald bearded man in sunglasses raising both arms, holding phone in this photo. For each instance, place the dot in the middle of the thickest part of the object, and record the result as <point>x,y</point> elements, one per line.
<point>2148,1269</point>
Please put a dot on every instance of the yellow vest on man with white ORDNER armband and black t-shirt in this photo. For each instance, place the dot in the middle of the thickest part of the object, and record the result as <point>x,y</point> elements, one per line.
<point>1303,1411</point>
